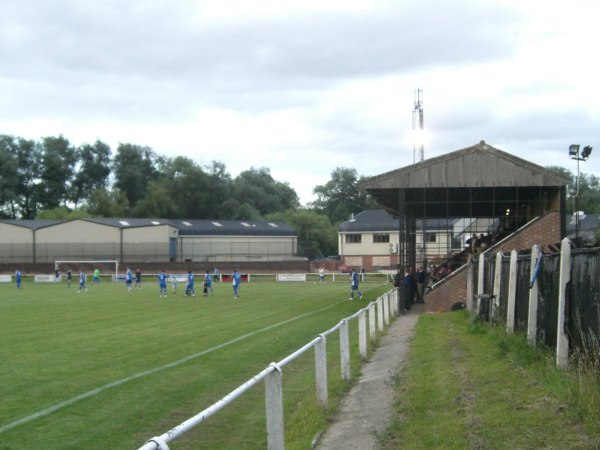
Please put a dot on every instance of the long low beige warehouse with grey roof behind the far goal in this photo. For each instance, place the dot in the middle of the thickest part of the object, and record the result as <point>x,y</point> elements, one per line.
<point>146,241</point>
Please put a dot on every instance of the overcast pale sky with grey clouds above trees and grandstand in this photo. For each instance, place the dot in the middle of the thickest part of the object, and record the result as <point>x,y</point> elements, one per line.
<point>303,87</point>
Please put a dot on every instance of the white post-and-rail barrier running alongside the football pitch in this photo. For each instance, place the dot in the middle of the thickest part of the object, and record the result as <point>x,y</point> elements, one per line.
<point>379,314</point>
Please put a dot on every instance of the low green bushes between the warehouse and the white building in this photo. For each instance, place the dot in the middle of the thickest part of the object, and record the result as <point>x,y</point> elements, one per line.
<point>315,232</point>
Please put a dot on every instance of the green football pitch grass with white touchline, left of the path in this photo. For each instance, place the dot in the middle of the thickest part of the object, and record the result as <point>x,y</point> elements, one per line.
<point>111,368</point>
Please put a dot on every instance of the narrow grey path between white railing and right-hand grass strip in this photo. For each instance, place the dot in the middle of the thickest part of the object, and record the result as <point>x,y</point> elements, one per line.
<point>365,410</point>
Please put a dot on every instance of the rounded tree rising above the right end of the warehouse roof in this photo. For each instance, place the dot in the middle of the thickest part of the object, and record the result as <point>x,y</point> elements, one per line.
<point>257,188</point>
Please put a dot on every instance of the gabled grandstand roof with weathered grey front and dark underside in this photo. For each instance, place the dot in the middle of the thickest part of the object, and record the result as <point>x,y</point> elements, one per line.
<point>476,175</point>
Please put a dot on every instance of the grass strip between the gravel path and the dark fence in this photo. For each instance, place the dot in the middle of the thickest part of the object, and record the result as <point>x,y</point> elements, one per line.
<point>471,386</point>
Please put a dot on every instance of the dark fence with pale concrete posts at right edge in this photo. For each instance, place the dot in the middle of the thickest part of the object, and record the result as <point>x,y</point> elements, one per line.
<point>553,298</point>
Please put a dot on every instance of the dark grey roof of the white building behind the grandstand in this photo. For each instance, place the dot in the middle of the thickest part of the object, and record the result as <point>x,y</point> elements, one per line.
<point>379,220</point>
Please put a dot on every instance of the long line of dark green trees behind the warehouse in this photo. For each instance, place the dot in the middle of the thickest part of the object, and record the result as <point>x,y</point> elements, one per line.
<point>54,179</point>
